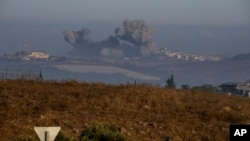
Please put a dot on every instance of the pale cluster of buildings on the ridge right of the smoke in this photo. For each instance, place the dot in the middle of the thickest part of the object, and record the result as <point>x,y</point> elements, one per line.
<point>187,57</point>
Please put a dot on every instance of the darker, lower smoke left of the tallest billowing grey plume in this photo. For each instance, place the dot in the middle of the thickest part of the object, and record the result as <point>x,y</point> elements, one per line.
<point>85,47</point>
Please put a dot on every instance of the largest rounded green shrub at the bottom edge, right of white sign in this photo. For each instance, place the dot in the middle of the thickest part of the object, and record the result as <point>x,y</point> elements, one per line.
<point>102,132</point>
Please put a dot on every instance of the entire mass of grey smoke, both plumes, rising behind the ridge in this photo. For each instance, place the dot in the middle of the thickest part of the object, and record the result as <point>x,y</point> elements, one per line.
<point>136,37</point>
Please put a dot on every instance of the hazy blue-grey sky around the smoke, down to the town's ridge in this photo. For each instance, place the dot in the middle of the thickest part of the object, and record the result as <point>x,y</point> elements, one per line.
<point>42,22</point>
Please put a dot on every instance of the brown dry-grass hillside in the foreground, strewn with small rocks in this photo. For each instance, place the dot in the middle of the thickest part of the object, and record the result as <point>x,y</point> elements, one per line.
<point>142,112</point>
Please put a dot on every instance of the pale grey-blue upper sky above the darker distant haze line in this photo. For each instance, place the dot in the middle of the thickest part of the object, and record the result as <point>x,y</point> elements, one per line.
<point>154,11</point>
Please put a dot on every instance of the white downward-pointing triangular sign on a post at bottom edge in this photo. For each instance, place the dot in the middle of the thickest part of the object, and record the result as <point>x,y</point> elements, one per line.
<point>47,133</point>
